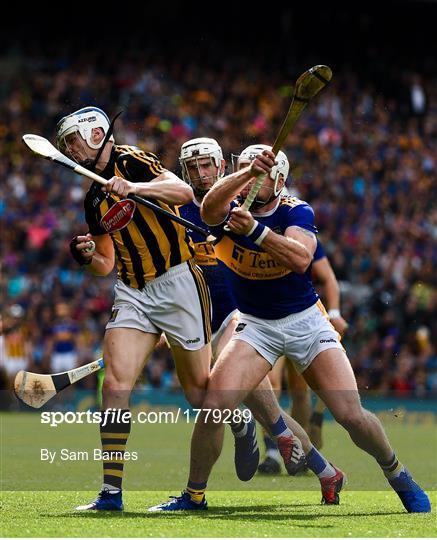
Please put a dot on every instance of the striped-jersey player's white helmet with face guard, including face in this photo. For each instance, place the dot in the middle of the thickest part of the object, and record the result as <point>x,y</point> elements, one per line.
<point>81,123</point>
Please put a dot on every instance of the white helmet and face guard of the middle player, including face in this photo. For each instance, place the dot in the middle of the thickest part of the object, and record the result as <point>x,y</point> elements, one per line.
<point>193,155</point>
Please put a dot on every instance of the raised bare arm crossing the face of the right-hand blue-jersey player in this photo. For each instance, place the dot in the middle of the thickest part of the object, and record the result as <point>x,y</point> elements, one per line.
<point>215,205</point>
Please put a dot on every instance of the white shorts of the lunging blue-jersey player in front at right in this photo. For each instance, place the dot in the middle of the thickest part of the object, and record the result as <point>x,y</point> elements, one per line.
<point>300,336</point>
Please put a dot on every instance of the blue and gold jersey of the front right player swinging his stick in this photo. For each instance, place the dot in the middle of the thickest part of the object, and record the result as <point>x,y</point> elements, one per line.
<point>263,287</point>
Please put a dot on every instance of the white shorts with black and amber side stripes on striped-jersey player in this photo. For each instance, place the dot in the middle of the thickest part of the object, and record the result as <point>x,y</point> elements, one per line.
<point>176,303</point>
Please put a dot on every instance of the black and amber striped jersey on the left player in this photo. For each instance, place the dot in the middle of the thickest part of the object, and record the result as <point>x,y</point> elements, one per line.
<point>151,243</point>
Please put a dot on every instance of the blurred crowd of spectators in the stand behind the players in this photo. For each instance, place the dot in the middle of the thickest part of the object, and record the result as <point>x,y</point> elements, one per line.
<point>366,161</point>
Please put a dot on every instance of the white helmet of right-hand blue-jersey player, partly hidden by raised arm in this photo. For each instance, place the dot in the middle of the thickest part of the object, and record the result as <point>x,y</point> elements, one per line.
<point>279,171</point>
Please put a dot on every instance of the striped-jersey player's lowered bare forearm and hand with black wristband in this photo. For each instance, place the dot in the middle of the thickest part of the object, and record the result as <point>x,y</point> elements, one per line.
<point>102,258</point>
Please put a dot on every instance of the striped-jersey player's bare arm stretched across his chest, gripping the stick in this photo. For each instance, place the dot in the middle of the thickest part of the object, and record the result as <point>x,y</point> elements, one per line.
<point>166,187</point>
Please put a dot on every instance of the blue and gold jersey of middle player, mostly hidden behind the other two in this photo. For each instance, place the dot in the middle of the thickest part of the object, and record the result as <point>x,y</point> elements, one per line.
<point>222,299</point>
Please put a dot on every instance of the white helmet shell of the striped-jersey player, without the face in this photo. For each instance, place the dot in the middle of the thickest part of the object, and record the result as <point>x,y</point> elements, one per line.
<point>83,121</point>
